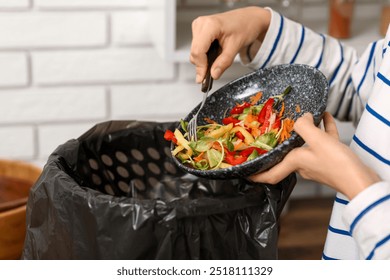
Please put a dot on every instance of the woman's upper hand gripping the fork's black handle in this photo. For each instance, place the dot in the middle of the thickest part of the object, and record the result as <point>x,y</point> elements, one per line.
<point>235,30</point>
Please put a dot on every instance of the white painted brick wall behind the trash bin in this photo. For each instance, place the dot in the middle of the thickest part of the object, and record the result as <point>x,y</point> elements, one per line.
<point>66,65</point>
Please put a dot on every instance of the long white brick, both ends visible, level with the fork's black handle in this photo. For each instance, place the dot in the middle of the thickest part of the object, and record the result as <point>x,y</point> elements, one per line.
<point>100,66</point>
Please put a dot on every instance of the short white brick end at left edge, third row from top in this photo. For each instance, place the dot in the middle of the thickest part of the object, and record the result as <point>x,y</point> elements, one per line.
<point>13,69</point>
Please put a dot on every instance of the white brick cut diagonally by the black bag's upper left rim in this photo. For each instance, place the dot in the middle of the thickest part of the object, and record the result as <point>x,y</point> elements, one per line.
<point>53,135</point>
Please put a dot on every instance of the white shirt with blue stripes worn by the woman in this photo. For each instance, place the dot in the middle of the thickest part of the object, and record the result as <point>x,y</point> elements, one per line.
<point>359,91</point>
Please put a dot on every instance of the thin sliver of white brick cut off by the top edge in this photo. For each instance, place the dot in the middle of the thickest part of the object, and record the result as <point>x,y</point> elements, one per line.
<point>90,3</point>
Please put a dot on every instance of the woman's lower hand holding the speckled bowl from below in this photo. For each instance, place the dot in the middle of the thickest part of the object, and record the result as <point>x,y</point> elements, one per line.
<point>324,159</point>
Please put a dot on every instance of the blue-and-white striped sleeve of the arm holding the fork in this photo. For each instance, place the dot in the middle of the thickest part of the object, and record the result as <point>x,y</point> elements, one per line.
<point>290,42</point>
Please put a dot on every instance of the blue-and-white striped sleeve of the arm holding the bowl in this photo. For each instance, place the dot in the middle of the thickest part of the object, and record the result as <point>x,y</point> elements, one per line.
<point>369,221</point>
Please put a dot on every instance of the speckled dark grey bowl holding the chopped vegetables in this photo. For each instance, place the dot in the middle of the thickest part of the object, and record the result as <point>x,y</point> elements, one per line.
<point>309,91</point>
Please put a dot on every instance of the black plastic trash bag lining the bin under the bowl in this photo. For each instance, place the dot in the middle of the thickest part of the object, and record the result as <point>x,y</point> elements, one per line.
<point>115,193</point>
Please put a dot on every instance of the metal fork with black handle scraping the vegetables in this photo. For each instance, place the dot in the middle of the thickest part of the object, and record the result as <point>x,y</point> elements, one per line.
<point>206,87</point>
